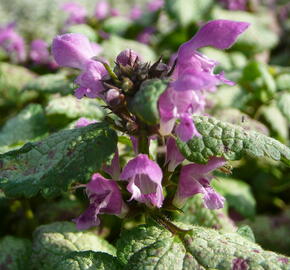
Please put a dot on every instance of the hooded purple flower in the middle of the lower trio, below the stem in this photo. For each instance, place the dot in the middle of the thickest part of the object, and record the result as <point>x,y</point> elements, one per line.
<point>144,177</point>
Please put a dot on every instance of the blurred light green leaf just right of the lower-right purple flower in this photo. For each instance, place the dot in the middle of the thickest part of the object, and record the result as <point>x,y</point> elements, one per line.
<point>238,195</point>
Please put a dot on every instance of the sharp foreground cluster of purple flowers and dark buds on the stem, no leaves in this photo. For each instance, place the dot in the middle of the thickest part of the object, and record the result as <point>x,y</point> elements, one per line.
<point>190,77</point>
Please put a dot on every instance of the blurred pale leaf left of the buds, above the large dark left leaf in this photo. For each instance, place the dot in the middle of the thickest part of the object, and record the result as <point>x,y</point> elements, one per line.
<point>72,108</point>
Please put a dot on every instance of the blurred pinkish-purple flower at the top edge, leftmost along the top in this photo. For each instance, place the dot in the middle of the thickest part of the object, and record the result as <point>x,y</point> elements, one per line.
<point>76,13</point>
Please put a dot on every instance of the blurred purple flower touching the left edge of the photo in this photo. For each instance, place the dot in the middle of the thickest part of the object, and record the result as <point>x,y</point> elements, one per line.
<point>12,42</point>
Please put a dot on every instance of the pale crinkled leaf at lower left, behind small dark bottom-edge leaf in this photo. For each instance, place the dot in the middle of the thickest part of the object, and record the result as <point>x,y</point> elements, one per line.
<point>52,242</point>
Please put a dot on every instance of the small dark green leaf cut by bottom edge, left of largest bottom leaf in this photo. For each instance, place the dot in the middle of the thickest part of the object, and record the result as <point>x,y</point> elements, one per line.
<point>88,260</point>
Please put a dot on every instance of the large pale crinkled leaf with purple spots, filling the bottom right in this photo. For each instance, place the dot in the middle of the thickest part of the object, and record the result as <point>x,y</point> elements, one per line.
<point>152,247</point>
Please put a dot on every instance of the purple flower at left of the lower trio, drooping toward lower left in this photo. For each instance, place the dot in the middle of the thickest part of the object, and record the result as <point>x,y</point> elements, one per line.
<point>105,198</point>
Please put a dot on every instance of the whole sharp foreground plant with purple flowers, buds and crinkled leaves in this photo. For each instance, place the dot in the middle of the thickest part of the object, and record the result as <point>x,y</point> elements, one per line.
<point>154,151</point>
